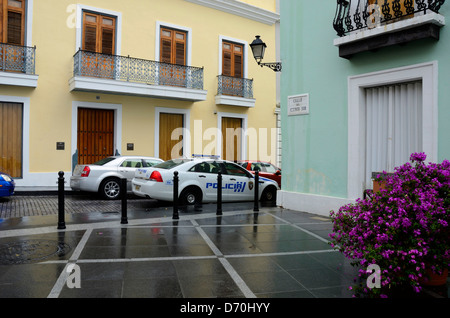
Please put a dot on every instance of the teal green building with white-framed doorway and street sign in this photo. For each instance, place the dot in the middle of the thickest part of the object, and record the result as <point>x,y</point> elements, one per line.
<point>365,83</point>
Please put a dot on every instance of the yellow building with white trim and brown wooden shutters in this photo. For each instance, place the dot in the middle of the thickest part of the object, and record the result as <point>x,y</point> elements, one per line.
<point>82,81</point>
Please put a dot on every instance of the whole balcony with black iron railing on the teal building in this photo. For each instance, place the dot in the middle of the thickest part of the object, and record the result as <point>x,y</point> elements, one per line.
<point>369,25</point>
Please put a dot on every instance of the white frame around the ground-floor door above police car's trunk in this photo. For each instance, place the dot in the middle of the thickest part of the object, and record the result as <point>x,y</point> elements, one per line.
<point>186,129</point>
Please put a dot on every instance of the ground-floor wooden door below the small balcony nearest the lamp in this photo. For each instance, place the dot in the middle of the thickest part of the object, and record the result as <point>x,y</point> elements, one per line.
<point>232,138</point>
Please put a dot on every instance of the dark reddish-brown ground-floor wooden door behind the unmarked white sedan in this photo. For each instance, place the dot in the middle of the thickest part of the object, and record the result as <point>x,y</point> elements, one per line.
<point>95,134</point>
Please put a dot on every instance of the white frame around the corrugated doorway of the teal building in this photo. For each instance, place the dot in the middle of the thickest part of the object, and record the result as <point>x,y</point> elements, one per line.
<point>428,74</point>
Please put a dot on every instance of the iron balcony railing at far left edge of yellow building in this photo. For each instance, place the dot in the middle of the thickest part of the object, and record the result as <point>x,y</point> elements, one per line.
<point>18,59</point>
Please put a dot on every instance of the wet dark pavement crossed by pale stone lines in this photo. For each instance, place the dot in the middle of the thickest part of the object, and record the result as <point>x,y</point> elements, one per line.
<point>273,253</point>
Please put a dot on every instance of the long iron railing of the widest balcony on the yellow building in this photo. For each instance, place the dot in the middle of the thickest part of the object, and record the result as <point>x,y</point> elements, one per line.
<point>135,70</point>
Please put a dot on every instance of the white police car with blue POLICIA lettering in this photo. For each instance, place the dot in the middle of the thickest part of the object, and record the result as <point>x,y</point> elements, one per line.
<point>198,182</point>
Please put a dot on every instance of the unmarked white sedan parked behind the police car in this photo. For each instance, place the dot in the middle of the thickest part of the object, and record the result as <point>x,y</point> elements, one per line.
<point>104,176</point>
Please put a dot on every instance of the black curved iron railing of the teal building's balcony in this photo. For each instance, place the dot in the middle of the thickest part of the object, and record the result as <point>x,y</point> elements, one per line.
<point>353,15</point>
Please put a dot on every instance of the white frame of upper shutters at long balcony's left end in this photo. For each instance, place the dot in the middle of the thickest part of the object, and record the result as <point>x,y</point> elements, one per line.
<point>79,25</point>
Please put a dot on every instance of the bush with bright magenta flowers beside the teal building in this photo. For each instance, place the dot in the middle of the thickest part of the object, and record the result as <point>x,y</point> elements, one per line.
<point>403,229</point>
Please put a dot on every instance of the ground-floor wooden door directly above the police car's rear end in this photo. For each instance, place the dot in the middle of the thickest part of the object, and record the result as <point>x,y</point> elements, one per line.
<point>168,124</point>
